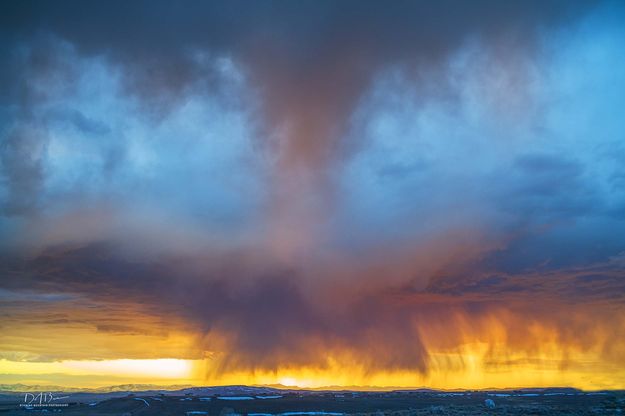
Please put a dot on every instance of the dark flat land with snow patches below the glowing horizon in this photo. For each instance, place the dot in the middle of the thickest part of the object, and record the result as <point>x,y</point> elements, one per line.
<point>252,401</point>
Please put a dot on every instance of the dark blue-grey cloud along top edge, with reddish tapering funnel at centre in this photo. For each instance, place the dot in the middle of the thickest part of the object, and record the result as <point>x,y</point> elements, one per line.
<point>310,60</point>
